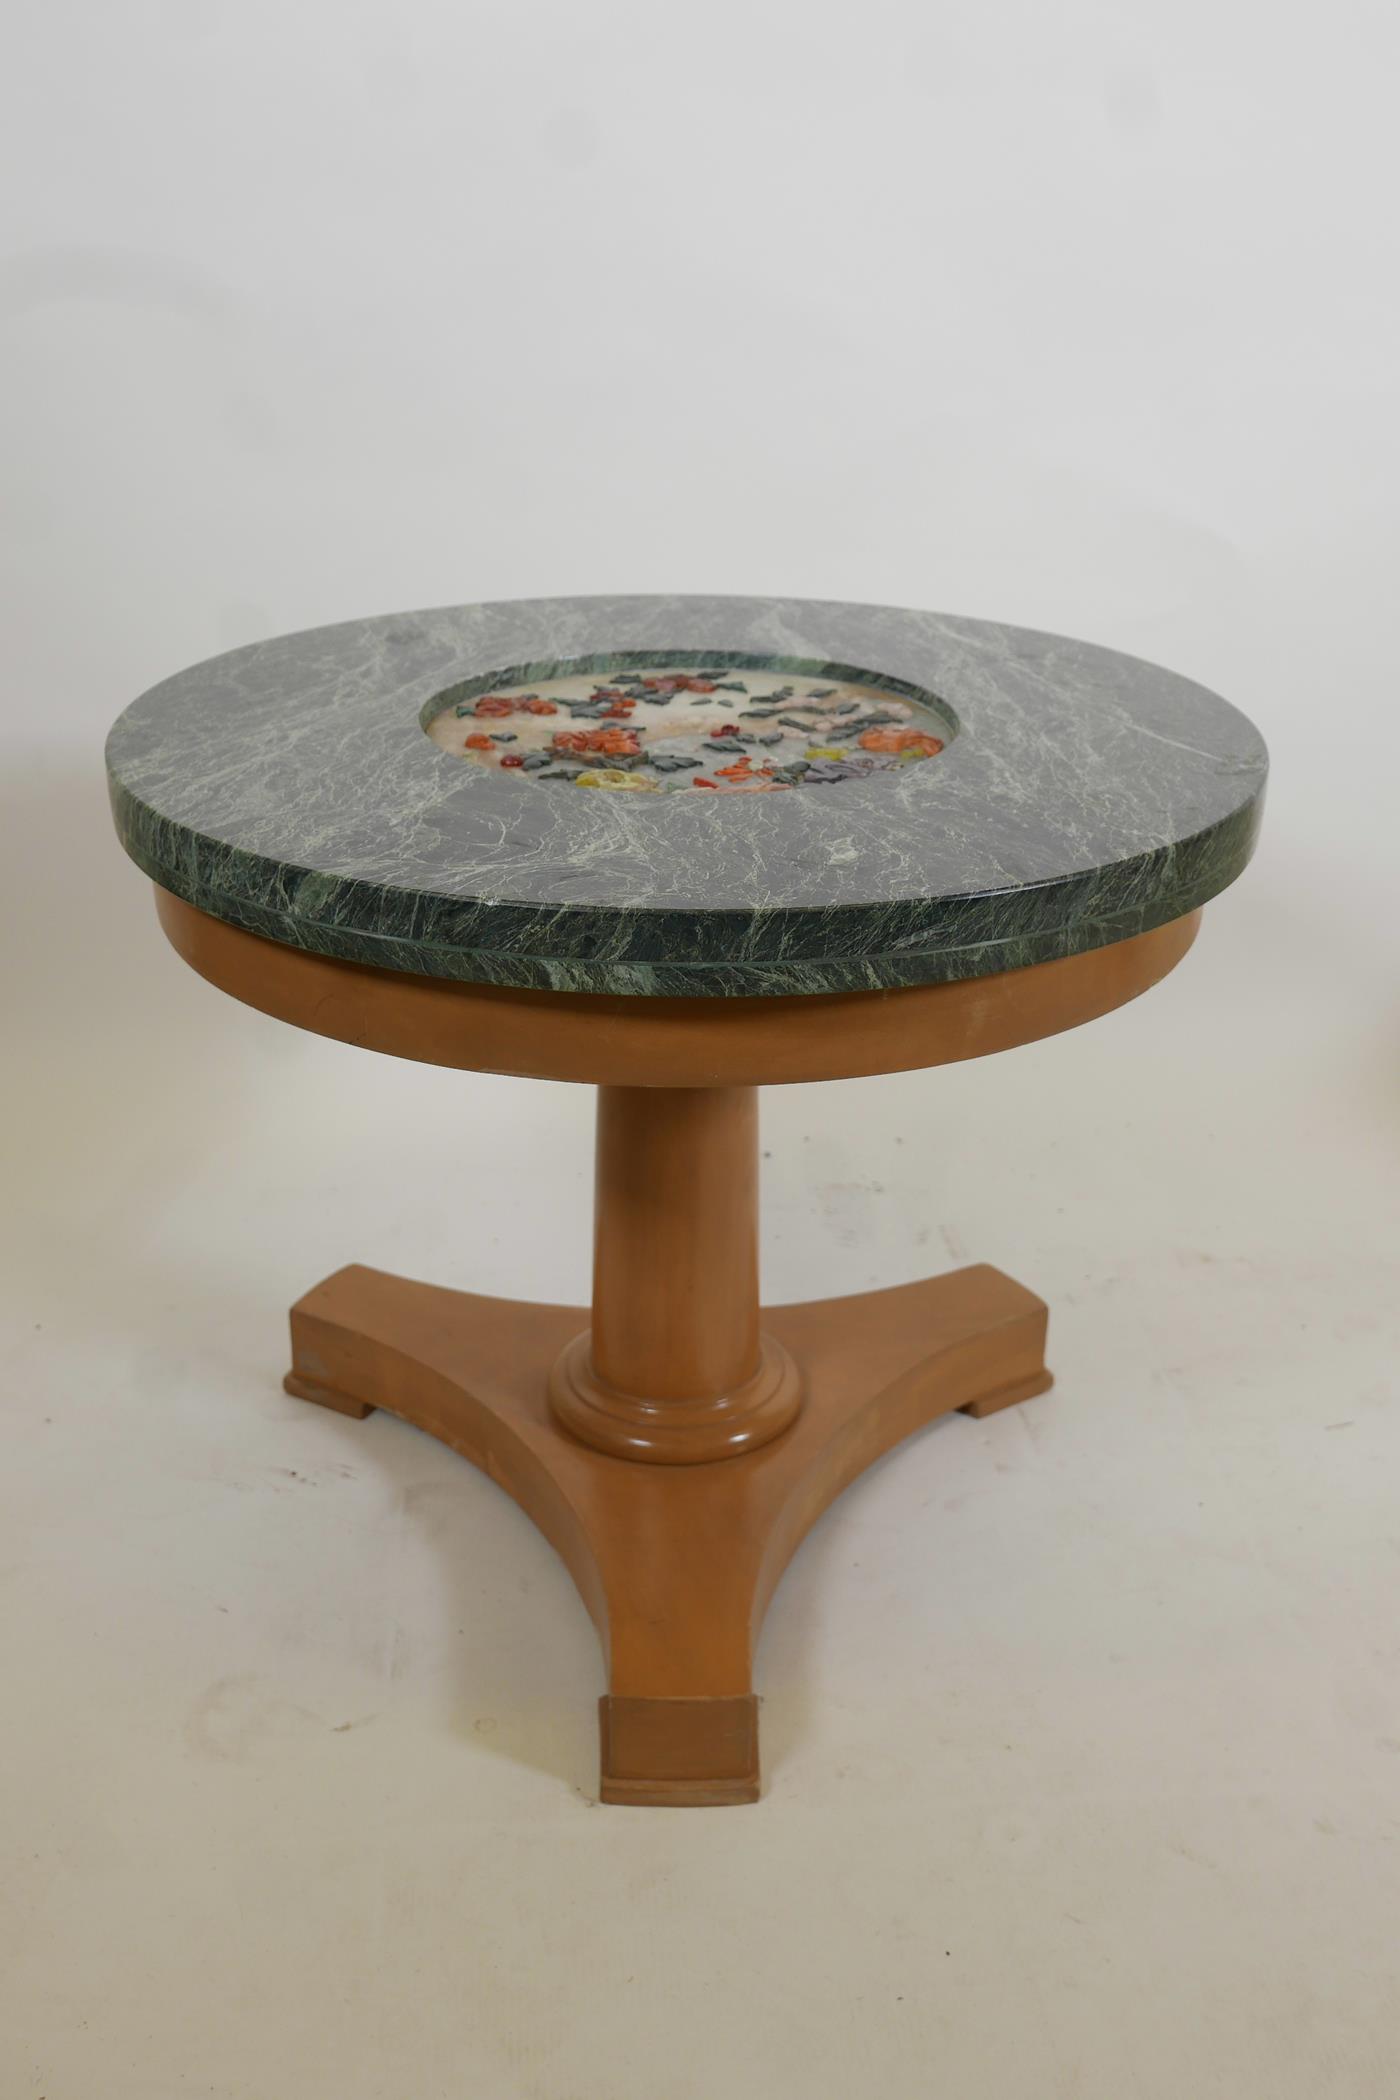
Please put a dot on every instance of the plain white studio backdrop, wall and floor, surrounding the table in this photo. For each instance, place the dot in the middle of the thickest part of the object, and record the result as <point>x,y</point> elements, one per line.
<point>1082,1727</point>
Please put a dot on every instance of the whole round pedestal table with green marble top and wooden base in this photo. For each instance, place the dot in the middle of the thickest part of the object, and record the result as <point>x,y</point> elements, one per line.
<point>681,847</point>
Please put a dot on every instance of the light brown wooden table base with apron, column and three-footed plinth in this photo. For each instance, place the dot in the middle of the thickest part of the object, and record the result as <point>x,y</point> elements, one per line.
<point>671,1442</point>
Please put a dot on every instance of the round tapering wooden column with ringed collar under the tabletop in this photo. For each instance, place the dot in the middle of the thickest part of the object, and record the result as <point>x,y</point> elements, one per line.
<point>677,1368</point>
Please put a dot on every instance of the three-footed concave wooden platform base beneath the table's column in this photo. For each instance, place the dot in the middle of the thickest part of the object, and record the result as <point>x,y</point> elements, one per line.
<point>675,1561</point>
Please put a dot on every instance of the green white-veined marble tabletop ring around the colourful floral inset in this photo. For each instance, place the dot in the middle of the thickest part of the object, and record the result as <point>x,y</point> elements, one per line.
<point>1088,797</point>
